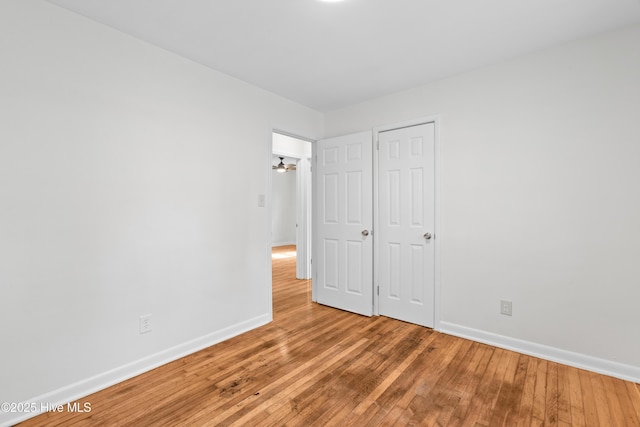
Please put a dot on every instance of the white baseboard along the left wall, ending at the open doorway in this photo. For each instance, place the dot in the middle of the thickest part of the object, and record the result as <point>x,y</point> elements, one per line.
<point>99,382</point>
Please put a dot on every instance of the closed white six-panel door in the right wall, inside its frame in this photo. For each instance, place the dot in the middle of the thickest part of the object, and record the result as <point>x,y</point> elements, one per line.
<point>406,189</point>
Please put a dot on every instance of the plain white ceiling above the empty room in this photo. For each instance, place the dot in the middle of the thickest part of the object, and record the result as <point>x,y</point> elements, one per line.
<point>331,55</point>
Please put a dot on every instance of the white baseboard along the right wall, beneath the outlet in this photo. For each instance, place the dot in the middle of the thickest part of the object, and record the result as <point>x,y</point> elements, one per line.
<point>577,360</point>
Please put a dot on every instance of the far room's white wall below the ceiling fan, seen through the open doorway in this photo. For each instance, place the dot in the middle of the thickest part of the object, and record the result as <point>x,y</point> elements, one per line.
<point>283,208</point>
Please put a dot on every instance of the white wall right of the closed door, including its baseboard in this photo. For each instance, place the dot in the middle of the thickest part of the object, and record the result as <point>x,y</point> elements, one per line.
<point>540,198</point>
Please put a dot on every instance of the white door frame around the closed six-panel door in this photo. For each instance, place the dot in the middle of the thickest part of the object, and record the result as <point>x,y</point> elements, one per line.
<point>437,235</point>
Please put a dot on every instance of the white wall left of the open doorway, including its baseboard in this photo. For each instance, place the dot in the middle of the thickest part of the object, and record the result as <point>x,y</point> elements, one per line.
<point>114,203</point>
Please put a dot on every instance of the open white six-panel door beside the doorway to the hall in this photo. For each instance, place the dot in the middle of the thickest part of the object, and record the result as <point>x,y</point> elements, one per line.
<point>344,244</point>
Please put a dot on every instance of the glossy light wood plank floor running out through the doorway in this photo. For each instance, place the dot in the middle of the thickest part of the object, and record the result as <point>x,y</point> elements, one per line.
<point>315,365</point>
